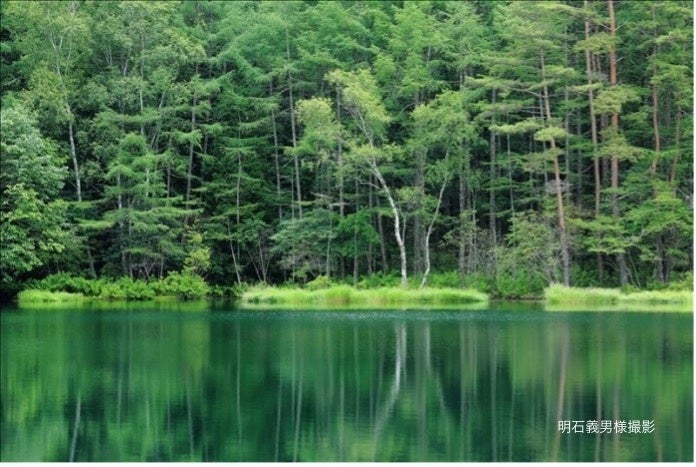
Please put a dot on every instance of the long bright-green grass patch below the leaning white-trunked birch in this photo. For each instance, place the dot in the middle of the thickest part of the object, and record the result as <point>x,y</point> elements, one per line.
<point>344,296</point>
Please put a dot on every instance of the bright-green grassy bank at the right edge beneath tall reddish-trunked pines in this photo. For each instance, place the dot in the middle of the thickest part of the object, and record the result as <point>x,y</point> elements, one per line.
<point>560,298</point>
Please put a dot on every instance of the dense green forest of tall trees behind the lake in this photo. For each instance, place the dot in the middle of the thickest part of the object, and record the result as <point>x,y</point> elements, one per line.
<point>496,145</point>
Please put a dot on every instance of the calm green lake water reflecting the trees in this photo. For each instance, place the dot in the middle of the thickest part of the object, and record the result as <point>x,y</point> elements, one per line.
<point>216,385</point>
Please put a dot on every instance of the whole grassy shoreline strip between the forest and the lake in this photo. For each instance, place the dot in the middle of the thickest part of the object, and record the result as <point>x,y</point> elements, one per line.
<point>556,298</point>
